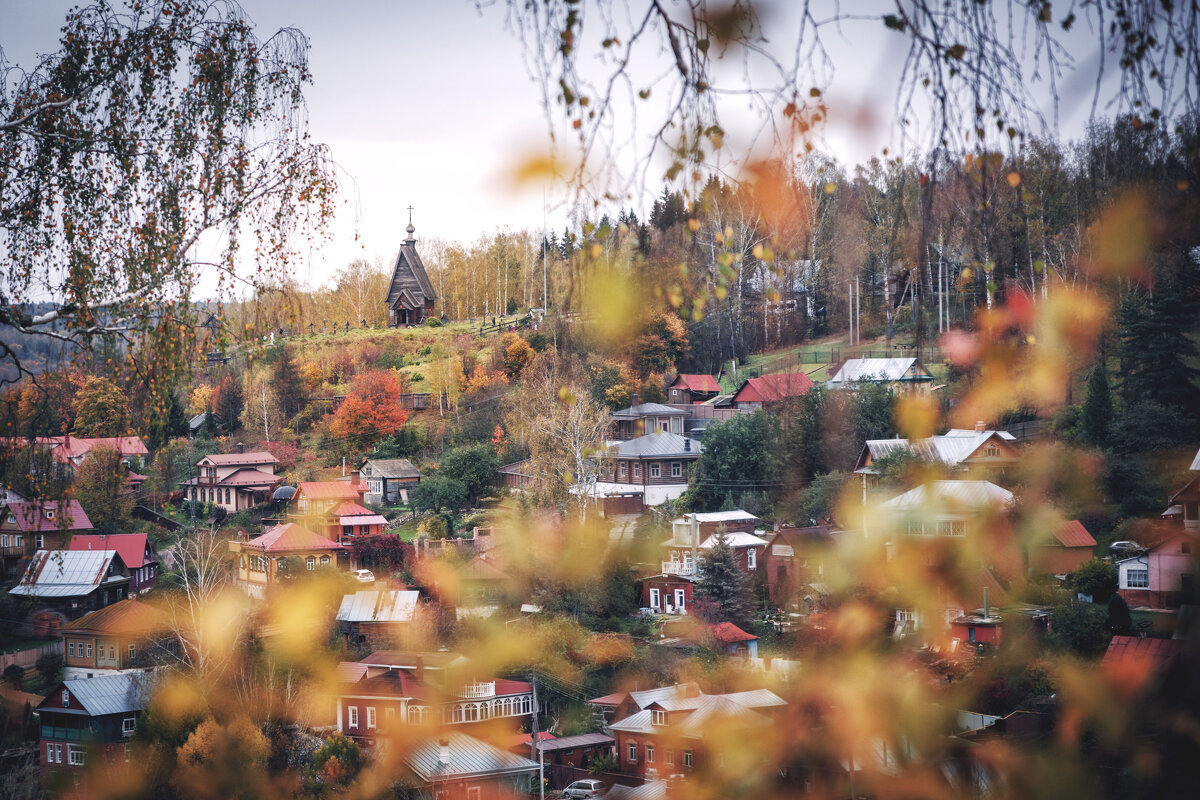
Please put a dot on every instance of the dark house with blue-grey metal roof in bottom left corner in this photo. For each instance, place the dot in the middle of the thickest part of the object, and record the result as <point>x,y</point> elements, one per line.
<point>85,721</point>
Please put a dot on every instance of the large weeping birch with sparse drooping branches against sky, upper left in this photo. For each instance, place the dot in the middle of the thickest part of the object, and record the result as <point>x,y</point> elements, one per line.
<point>148,131</point>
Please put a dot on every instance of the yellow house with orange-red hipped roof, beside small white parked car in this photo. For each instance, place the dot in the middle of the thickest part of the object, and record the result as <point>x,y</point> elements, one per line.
<point>286,549</point>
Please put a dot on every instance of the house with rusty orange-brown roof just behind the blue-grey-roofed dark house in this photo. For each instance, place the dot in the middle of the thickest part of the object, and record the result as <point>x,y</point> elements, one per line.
<point>112,640</point>
